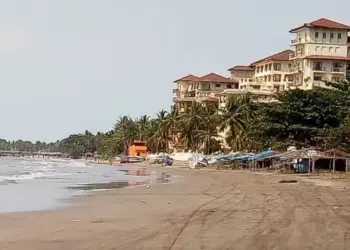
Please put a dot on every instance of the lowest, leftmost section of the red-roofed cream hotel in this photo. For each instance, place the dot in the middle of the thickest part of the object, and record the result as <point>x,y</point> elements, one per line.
<point>204,90</point>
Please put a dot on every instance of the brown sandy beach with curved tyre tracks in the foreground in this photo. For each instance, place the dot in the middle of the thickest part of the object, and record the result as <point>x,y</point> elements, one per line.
<point>205,209</point>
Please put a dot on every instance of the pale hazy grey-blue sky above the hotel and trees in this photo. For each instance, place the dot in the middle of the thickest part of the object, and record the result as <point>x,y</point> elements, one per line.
<point>67,66</point>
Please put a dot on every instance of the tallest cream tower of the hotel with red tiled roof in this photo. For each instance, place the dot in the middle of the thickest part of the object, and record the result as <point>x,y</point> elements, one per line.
<point>321,53</point>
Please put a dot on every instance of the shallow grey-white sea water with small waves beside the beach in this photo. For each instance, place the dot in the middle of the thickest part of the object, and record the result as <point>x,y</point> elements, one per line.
<point>32,184</point>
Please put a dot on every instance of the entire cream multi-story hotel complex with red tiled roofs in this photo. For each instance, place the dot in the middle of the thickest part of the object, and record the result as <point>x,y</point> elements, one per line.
<point>321,52</point>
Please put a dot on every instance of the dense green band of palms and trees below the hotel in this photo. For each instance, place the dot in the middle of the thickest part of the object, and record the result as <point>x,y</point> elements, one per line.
<point>318,118</point>
